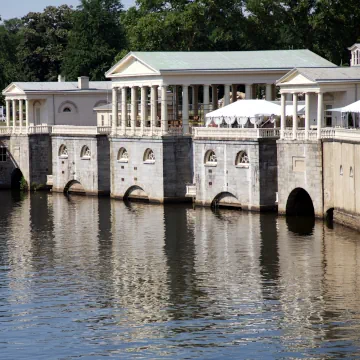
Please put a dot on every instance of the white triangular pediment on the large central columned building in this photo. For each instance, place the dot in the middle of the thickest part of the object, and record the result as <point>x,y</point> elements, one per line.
<point>130,65</point>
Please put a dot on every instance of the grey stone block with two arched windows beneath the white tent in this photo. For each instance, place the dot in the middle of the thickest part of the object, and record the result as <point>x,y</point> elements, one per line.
<point>251,186</point>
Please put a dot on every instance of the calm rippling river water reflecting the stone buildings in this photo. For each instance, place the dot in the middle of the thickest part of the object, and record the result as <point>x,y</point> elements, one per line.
<point>92,278</point>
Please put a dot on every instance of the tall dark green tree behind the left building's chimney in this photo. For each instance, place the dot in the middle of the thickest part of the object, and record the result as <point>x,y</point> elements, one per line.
<point>97,36</point>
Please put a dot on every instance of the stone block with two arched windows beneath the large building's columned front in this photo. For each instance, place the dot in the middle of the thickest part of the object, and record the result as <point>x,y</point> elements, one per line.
<point>159,180</point>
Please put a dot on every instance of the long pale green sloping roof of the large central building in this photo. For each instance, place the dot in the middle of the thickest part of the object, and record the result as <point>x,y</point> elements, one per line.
<point>232,60</point>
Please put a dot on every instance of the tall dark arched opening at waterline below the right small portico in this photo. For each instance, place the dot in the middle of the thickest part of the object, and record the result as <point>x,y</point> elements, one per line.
<point>299,203</point>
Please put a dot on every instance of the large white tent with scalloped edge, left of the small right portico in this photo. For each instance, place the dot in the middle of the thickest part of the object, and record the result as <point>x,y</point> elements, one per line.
<point>241,110</point>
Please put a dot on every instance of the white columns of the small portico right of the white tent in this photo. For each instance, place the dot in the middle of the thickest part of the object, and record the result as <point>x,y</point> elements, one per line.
<point>320,115</point>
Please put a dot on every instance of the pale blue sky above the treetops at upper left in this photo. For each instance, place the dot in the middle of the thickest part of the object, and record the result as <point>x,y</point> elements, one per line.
<point>10,8</point>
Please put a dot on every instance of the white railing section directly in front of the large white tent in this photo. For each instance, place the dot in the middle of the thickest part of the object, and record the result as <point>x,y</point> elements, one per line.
<point>234,133</point>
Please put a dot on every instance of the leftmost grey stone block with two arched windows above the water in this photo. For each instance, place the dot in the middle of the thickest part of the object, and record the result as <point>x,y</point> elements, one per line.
<point>76,170</point>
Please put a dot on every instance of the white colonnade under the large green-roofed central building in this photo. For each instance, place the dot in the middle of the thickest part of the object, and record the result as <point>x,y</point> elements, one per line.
<point>158,121</point>
